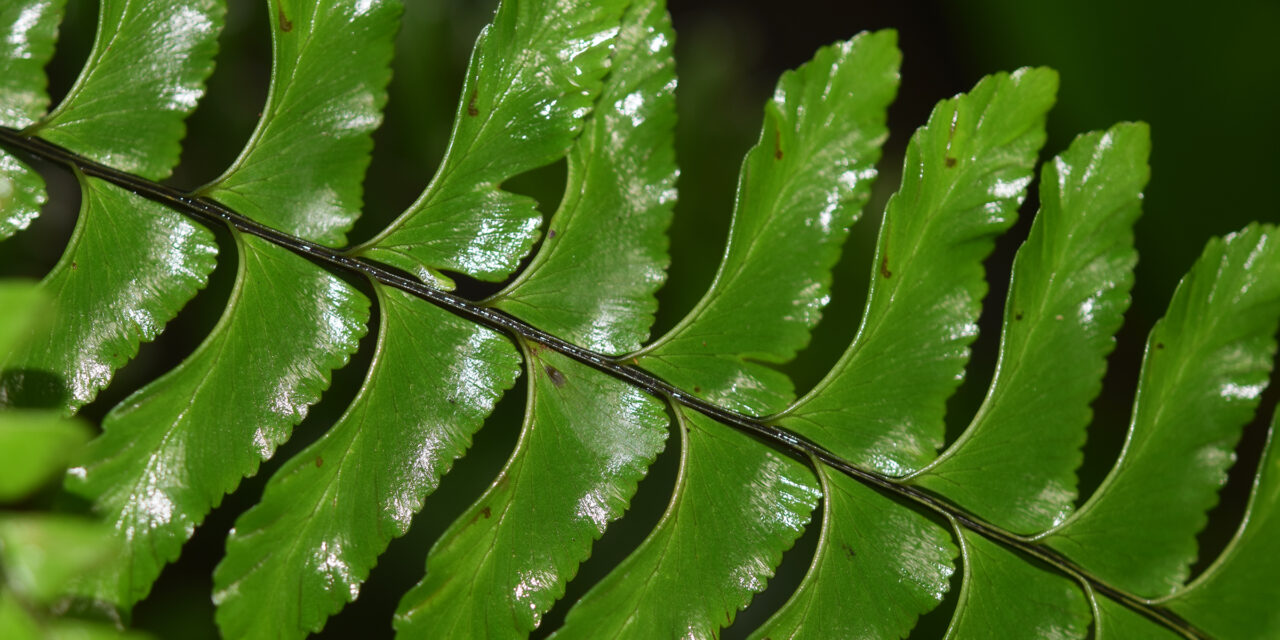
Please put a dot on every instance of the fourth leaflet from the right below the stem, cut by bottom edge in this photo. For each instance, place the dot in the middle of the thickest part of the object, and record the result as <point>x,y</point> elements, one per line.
<point>737,508</point>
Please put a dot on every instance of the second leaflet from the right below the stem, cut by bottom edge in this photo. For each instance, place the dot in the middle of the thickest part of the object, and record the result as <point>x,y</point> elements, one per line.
<point>1005,596</point>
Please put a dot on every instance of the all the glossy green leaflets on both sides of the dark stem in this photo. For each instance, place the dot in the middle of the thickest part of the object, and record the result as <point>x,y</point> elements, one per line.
<point>595,83</point>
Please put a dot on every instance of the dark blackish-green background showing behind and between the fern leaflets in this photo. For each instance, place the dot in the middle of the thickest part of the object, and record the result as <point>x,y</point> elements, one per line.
<point>1205,76</point>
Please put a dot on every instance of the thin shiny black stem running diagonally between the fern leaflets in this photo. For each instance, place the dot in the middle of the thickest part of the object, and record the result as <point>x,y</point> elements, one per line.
<point>211,212</point>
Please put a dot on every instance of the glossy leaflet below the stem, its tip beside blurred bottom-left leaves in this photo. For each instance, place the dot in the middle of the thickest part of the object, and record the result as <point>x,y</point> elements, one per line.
<point>172,450</point>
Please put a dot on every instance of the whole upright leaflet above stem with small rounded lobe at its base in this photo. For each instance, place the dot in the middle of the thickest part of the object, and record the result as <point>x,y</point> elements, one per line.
<point>803,185</point>
